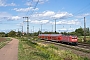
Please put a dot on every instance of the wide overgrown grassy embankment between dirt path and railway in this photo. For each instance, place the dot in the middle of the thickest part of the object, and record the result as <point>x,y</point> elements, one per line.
<point>29,50</point>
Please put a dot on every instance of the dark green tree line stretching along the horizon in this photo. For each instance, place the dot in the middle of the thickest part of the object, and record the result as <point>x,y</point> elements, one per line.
<point>78,32</point>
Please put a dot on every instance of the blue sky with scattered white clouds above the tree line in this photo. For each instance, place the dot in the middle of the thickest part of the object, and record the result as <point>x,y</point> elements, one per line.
<point>69,14</point>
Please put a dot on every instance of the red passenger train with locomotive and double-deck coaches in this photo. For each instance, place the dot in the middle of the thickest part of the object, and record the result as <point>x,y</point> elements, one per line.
<point>60,38</point>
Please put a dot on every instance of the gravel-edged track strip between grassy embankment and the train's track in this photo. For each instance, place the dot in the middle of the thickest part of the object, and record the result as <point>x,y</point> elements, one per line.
<point>74,49</point>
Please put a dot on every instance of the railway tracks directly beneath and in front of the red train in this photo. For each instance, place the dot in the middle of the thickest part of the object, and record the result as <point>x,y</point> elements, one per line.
<point>81,46</point>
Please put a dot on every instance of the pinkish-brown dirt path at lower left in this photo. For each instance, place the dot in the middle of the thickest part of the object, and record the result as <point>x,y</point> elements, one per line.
<point>10,51</point>
